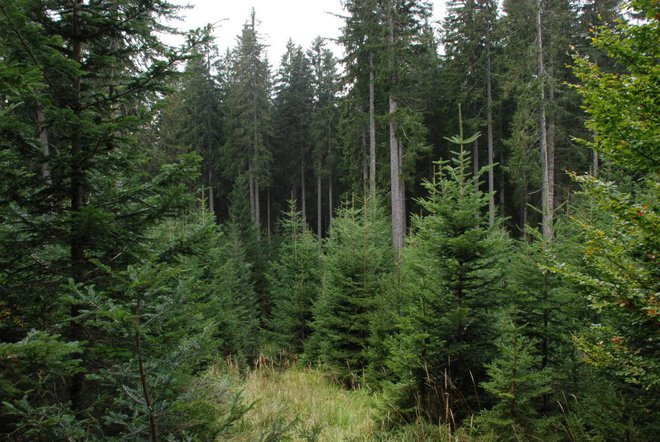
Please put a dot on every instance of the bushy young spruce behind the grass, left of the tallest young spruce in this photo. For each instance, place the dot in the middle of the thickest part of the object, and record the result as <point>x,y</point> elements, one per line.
<point>355,266</point>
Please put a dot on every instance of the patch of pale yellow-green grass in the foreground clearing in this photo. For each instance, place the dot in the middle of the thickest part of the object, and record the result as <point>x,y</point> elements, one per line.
<point>305,404</point>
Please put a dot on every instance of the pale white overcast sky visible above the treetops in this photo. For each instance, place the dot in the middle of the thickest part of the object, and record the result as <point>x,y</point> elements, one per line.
<point>278,20</point>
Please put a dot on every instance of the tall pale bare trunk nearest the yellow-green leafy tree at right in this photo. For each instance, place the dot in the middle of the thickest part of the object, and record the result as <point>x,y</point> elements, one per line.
<point>546,192</point>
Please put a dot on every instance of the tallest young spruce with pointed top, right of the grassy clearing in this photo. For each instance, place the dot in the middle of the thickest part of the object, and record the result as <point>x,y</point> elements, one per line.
<point>450,280</point>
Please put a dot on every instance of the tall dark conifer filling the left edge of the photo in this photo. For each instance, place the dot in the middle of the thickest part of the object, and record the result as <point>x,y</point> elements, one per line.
<point>75,192</point>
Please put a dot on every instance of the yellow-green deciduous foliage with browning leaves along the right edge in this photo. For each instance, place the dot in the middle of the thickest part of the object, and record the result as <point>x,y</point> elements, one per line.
<point>619,225</point>
